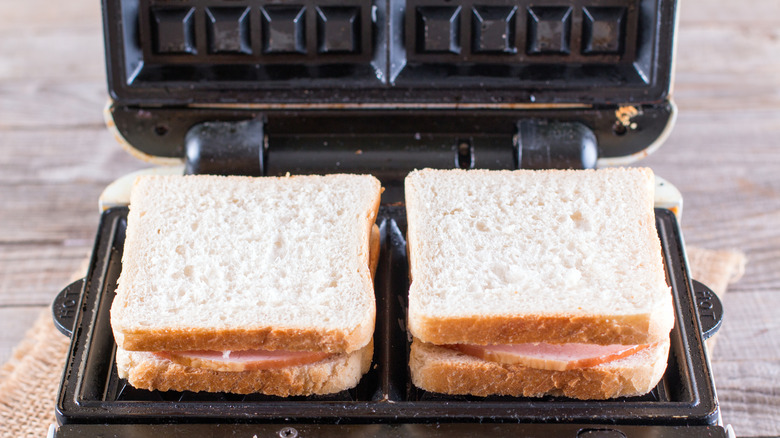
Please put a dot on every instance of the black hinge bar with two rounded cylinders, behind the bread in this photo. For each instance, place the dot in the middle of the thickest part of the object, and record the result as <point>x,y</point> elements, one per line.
<point>240,148</point>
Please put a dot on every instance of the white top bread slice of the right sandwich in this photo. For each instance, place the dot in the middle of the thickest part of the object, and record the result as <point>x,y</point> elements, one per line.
<point>502,257</point>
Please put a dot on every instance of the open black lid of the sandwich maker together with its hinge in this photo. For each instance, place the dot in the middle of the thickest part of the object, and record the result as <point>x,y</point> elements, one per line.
<point>266,87</point>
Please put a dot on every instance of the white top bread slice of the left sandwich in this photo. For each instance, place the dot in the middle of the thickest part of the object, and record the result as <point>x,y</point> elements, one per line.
<point>235,263</point>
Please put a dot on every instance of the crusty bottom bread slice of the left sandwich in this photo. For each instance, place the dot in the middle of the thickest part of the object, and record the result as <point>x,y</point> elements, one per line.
<point>144,370</point>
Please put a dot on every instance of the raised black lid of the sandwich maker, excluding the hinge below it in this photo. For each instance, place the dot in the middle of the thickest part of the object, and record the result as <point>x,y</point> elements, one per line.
<point>383,64</point>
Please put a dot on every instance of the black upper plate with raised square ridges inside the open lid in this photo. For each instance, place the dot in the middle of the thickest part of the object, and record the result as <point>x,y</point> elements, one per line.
<point>388,51</point>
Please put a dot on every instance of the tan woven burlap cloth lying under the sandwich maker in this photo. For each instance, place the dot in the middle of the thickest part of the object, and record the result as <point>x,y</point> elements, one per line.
<point>30,379</point>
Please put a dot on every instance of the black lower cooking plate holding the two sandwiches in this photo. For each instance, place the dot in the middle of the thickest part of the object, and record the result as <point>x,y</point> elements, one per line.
<point>91,392</point>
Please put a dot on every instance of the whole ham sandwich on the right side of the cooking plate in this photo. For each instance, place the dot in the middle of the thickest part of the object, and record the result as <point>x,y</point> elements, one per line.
<point>536,283</point>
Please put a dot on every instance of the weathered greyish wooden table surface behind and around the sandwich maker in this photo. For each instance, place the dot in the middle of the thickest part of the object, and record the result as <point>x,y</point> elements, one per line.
<point>723,155</point>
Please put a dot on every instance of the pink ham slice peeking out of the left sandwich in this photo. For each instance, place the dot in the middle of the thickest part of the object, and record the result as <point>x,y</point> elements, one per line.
<point>246,360</point>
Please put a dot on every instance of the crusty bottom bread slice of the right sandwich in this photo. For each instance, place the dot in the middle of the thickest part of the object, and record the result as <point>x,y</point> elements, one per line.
<point>443,370</point>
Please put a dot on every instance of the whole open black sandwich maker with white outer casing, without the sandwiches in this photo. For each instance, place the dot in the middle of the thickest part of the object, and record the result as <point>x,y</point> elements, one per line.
<point>270,87</point>
